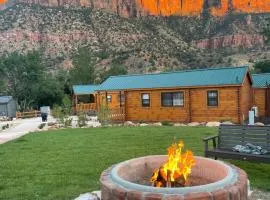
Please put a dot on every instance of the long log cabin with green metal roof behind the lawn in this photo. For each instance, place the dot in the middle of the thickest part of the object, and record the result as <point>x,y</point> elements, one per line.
<point>215,94</point>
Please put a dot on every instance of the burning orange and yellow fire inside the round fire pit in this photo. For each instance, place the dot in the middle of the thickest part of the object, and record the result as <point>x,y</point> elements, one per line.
<point>176,170</point>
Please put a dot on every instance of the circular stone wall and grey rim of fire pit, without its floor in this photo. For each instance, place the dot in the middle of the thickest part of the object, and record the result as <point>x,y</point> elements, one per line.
<point>115,188</point>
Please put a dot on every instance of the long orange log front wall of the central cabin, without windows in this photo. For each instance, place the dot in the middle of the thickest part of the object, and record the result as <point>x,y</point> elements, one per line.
<point>196,111</point>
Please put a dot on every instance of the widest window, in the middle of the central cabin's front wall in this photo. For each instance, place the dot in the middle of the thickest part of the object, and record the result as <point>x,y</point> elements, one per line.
<point>169,99</point>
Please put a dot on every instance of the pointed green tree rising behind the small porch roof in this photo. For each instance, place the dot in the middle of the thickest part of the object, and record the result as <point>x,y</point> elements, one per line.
<point>83,70</point>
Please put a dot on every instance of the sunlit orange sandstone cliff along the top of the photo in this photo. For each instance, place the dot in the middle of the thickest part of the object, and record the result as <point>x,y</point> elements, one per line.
<point>130,8</point>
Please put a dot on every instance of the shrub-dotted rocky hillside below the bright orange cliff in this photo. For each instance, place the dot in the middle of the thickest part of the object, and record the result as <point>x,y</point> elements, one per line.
<point>143,44</point>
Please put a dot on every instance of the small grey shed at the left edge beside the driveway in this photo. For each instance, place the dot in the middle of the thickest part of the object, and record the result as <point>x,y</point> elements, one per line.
<point>7,107</point>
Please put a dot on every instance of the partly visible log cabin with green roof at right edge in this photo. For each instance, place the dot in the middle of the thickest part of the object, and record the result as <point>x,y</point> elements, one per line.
<point>261,94</point>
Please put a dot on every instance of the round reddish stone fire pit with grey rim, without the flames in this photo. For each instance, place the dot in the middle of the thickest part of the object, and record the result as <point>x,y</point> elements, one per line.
<point>209,180</point>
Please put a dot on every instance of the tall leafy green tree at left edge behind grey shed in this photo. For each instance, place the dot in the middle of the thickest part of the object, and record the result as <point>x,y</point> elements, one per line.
<point>21,75</point>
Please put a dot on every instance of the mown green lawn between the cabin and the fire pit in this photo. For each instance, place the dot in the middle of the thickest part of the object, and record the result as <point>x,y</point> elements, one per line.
<point>62,164</point>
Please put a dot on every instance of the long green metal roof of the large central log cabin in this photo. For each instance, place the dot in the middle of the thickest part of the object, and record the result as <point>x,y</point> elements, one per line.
<point>191,78</point>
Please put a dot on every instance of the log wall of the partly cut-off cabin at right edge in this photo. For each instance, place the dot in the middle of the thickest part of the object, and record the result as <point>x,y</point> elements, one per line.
<point>260,100</point>
